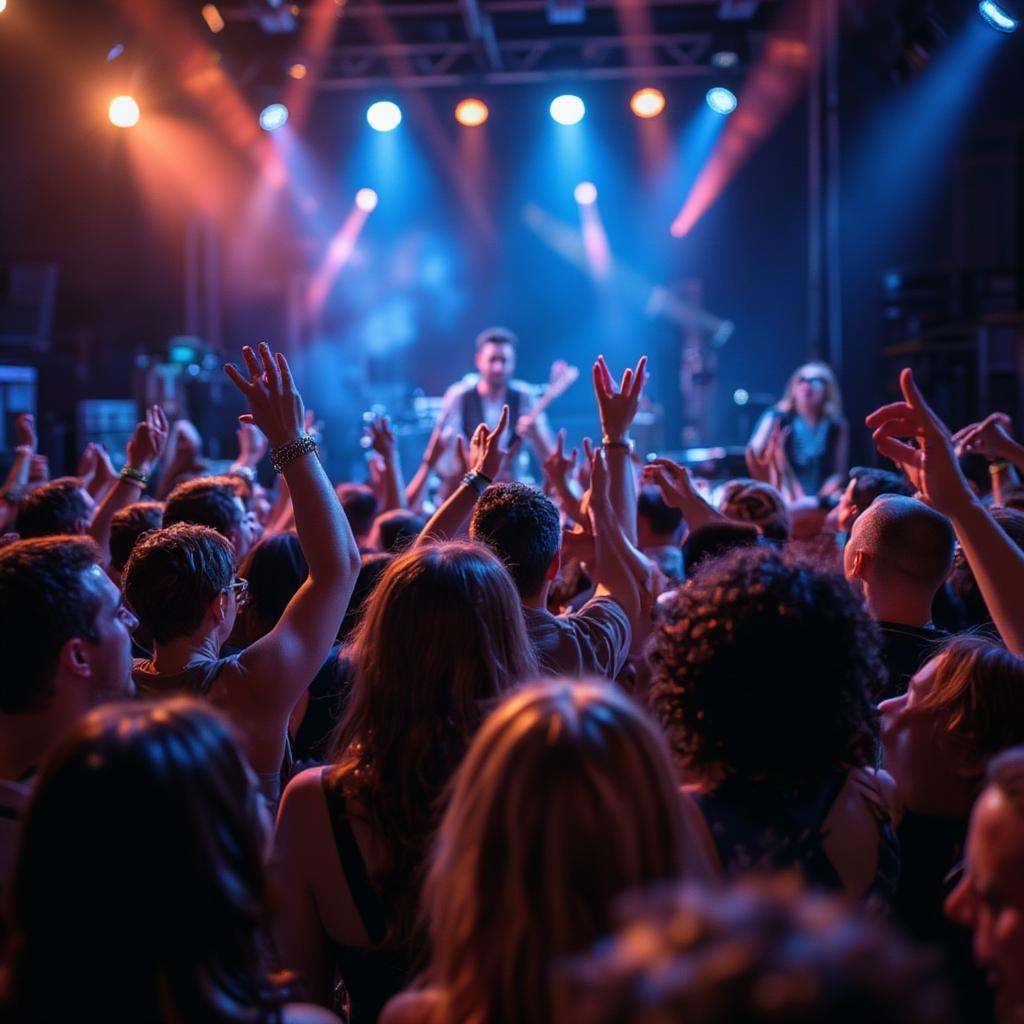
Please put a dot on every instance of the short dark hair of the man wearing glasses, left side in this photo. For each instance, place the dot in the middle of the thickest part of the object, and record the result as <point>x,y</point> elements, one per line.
<point>173,577</point>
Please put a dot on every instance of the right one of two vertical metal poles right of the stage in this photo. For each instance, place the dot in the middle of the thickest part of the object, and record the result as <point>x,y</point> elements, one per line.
<point>834,195</point>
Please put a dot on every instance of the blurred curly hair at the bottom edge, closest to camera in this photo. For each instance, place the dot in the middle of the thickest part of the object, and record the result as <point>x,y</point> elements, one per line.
<point>759,953</point>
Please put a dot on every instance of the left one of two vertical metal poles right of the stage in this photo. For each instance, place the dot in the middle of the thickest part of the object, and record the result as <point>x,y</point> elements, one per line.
<point>816,190</point>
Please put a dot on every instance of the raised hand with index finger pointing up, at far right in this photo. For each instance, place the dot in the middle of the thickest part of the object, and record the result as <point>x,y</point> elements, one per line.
<point>932,466</point>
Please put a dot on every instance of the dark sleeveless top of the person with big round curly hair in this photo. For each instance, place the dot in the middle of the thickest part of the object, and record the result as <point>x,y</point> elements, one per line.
<point>789,834</point>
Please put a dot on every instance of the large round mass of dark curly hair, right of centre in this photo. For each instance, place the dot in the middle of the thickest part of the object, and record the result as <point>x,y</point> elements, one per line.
<point>765,676</point>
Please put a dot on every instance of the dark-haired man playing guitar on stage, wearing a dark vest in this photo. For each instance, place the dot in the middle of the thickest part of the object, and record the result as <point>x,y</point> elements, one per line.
<point>479,398</point>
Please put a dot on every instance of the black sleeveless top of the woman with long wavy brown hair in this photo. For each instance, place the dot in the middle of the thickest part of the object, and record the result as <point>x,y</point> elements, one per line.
<point>371,976</point>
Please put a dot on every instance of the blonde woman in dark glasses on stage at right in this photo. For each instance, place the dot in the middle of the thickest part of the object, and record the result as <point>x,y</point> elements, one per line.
<point>809,428</point>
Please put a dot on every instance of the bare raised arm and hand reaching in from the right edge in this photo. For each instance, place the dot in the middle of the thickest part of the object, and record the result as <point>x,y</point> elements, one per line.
<point>997,563</point>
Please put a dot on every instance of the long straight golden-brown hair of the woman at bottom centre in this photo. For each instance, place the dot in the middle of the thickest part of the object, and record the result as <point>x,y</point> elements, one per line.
<point>567,799</point>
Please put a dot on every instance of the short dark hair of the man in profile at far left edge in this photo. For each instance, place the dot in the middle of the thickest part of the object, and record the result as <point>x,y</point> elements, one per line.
<point>46,601</point>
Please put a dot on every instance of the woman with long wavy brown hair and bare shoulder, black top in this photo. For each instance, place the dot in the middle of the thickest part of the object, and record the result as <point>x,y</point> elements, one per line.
<point>442,641</point>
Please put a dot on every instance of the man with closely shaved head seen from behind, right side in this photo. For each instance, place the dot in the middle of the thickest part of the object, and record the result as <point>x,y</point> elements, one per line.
<point>900,554</point>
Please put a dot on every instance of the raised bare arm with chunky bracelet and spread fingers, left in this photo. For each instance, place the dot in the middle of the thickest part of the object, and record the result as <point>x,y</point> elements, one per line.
<point>280,666</point>
